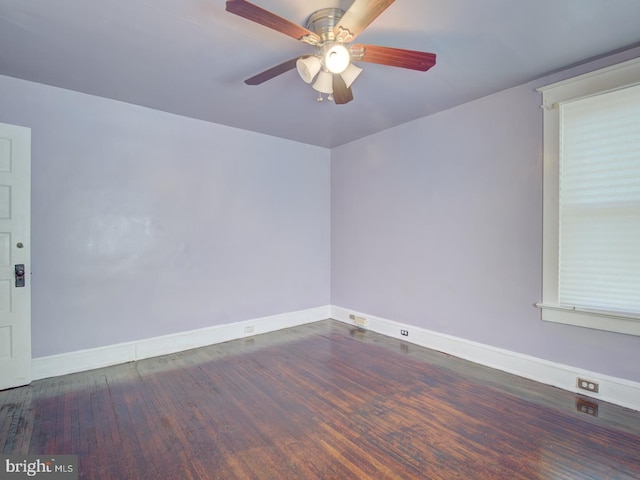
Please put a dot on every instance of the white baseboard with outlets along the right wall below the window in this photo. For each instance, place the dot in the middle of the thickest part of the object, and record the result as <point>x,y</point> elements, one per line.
<point>611,389</point>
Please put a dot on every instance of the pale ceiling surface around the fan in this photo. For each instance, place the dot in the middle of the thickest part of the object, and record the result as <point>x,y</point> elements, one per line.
<point>190,57</point>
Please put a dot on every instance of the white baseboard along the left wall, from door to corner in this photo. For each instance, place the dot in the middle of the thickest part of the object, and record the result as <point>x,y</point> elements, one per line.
<point>54,365</point>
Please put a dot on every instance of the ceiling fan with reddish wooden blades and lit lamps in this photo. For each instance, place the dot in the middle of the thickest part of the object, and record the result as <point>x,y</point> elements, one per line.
<point>332,31</point>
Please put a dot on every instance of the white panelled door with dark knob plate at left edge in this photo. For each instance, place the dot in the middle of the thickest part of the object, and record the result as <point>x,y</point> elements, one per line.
<point>15,250</point>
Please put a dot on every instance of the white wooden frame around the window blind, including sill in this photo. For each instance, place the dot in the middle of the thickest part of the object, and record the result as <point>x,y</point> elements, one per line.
<point>600,81</point>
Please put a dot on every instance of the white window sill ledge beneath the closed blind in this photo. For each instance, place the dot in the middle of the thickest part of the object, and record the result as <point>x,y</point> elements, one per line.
<point>610,321</point>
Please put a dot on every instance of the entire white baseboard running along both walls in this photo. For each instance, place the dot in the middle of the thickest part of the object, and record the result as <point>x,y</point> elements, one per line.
<point>614,390</point>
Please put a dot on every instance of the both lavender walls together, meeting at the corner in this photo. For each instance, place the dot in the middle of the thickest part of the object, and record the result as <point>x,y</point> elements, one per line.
<point>146,223</point>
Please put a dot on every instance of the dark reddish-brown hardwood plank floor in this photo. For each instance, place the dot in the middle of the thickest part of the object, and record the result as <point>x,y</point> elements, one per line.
<point>322,401</point>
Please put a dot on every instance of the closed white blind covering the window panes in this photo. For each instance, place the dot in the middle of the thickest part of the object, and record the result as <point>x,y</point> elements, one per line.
<point>599,202</point>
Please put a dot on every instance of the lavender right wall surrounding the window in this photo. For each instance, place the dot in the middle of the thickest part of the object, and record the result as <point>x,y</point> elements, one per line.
<point>438,223</point>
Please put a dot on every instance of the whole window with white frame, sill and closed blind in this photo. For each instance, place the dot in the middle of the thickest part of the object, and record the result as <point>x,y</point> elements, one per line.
<point>591,238</point>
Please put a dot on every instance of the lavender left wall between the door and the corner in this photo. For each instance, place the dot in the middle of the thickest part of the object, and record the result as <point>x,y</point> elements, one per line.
<point>146,223</point>
